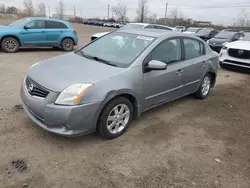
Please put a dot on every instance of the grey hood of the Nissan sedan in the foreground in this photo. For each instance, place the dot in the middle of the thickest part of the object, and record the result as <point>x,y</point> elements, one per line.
<point>62,71</point>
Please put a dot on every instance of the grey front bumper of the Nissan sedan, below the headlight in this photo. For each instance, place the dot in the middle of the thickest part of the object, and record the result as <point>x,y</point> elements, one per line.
<point>59,119</point>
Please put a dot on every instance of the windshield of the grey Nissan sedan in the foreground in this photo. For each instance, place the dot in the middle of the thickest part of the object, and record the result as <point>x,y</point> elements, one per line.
<point>117,49</point>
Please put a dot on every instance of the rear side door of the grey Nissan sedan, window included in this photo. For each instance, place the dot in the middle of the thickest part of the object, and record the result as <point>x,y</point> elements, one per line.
<point>195,64</point>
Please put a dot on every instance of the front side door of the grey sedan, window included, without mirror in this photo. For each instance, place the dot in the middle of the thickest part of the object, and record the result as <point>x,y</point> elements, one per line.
<point>164,85</point>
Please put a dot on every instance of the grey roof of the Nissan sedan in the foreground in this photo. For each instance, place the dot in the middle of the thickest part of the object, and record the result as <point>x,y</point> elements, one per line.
<point>156,33</point>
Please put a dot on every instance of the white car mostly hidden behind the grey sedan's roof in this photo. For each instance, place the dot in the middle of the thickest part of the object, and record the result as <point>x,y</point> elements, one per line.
<point>135,25</point>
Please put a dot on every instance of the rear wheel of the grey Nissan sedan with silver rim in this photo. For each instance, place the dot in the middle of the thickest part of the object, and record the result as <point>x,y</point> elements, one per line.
<point>205,88</point>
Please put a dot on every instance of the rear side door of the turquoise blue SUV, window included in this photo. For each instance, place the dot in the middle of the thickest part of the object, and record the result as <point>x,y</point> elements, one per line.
<point>53,32</point>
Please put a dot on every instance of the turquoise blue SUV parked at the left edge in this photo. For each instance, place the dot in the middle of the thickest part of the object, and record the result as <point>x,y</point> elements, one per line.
<point>38,32</point>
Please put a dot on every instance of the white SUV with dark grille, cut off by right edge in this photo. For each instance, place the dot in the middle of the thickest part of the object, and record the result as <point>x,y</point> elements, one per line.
<point>236,54</point>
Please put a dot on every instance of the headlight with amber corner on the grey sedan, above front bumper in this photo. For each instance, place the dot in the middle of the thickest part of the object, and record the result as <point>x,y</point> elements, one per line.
<point>72,94</point>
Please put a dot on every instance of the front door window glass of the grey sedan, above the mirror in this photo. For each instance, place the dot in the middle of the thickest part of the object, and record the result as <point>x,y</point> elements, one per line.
<point>168,51</point>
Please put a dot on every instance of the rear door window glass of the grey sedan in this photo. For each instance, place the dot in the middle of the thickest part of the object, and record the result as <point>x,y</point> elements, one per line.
<point>192,48</point>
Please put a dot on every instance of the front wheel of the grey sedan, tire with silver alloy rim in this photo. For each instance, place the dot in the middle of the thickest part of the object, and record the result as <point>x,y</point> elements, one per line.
<point>119,119</point>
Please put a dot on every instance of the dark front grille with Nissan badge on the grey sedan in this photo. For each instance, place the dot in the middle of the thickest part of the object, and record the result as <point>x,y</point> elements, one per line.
<point>34,89</point>
